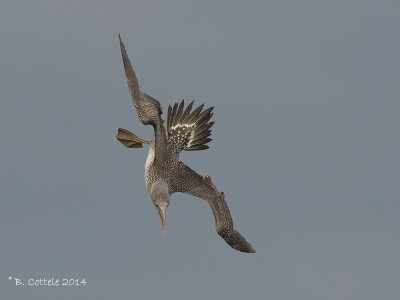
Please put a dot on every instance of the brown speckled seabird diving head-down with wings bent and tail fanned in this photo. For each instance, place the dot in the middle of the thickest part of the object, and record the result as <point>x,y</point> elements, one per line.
<point>188,130</point>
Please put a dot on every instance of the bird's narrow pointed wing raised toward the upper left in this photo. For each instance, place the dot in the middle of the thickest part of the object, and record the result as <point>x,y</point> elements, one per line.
<point>148,109</point>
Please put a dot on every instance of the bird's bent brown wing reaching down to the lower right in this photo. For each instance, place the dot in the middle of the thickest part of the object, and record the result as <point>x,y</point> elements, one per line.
<point>188,181</point>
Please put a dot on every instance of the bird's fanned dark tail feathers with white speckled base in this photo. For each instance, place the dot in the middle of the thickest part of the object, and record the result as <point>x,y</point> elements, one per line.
<point>189,130</point>
